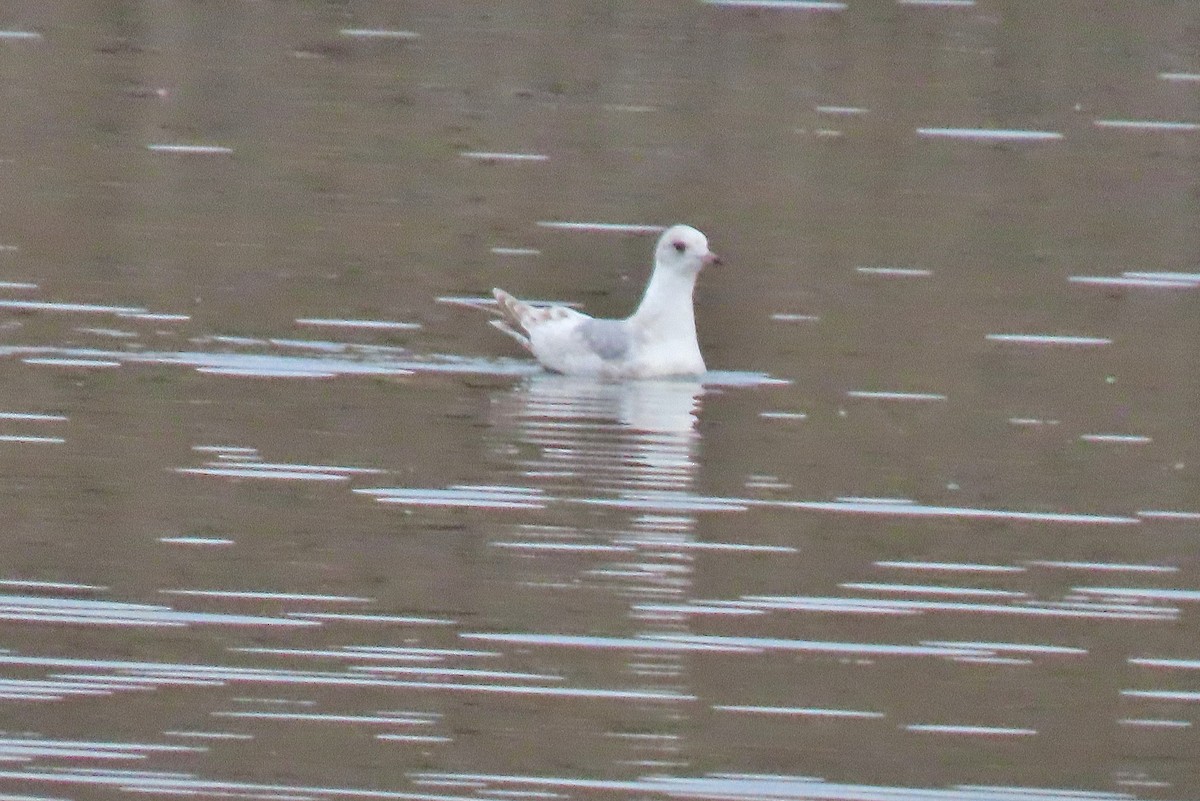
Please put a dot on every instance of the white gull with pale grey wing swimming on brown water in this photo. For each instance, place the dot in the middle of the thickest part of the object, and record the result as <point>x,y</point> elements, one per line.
<point>657,341</point>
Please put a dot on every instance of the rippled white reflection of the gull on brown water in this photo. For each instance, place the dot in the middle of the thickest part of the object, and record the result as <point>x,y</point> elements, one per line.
<point>585,442</point>
